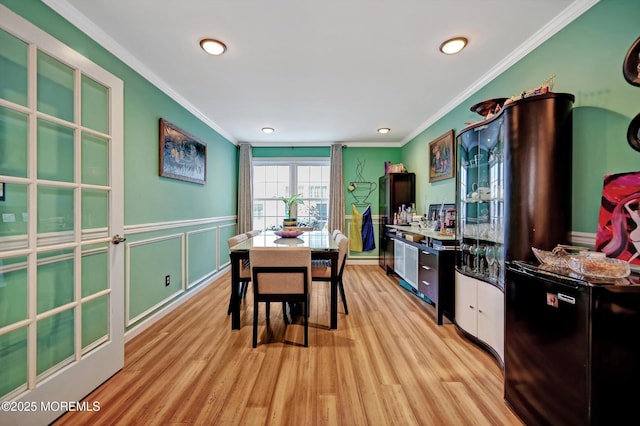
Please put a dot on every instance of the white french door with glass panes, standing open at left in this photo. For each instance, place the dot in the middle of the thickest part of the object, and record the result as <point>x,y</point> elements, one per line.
<point>61,204</point>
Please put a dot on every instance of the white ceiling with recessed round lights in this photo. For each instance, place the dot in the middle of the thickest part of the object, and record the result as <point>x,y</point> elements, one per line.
<point>319,72</point>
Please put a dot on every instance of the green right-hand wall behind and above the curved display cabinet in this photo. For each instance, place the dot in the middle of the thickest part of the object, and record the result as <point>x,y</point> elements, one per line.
<point>586,58</point>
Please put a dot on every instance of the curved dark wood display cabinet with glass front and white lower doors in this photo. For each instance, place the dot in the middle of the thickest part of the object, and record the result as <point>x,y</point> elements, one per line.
<point>513,193</point>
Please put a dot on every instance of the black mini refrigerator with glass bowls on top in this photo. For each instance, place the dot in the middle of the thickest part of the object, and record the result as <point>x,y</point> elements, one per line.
<point>572,347</point>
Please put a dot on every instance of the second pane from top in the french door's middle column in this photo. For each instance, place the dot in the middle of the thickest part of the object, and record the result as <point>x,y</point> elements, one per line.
<point>55,152</point>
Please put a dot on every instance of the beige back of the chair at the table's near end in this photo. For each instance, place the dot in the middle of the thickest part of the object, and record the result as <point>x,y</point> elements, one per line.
<point>281,270</point>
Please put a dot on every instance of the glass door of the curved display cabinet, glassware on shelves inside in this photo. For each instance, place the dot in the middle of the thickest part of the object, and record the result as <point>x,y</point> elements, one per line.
<point>481,201</point>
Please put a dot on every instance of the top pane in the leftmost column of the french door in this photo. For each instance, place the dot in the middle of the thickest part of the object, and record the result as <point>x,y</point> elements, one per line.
<point>13,68</point>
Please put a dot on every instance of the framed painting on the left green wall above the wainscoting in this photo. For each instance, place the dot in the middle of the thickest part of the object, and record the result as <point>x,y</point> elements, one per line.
<point>182,156</point>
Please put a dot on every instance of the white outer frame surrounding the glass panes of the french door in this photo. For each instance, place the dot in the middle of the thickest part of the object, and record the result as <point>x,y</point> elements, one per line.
<point>76,380</point>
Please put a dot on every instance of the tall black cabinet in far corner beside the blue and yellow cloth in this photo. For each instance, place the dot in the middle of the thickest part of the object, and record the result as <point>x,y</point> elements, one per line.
<point>394,190</point>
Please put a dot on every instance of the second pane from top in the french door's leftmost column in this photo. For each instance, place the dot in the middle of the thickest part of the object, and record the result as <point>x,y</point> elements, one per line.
<point>13,142</point>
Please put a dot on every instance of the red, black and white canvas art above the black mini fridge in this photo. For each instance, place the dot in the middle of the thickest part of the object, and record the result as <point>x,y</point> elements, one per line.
<point>619,222</point>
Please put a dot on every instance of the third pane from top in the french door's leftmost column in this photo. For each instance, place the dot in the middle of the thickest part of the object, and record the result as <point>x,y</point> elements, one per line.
<point>14,217</point>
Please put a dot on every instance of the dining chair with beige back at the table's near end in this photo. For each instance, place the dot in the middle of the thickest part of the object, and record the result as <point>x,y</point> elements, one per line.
<point>281,274</point>
